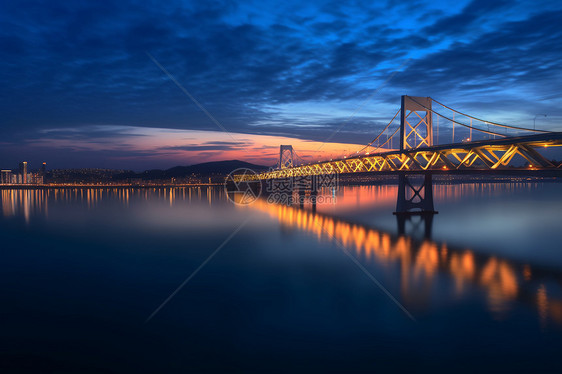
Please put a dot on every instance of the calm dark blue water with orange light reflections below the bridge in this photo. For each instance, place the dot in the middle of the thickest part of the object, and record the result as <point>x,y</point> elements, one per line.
<point>83,269</point>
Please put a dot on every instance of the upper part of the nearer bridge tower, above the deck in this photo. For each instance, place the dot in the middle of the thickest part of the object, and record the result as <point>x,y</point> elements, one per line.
<point>415,130</point>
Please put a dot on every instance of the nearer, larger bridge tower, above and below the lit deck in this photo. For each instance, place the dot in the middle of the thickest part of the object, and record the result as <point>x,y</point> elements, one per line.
<point>416,130</point>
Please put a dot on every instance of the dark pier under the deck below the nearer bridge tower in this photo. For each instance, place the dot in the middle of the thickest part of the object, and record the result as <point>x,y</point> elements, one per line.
<point>414,199</point>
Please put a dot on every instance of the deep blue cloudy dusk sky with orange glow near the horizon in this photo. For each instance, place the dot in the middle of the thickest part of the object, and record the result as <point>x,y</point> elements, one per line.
<point>108,83</point>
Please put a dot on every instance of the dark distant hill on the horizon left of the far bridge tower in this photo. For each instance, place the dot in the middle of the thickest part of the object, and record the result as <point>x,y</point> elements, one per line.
<point>207,169</point>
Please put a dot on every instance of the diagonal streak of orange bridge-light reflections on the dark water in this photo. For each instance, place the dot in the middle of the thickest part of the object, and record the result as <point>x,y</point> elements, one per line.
<point>421,261</point>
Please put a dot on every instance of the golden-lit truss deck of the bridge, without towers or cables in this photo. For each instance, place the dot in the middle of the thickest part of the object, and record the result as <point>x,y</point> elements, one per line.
<point>491,154</point>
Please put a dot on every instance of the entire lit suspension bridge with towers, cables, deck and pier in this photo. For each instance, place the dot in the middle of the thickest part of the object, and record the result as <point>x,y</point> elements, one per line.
<point>419,154</point>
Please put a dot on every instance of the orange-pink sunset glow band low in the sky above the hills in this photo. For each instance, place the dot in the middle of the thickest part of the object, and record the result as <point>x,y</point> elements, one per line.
<point>189,146</point>
